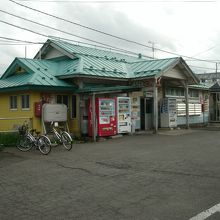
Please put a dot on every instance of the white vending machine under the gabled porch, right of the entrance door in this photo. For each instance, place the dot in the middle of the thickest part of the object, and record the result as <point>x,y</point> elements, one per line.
<point>168,113</point>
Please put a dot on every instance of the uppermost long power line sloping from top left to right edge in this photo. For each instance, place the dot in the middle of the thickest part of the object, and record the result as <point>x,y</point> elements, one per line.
<point>107,34</point>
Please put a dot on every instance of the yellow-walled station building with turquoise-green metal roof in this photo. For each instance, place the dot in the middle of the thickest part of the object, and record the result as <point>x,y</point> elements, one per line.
<point>163,93</point>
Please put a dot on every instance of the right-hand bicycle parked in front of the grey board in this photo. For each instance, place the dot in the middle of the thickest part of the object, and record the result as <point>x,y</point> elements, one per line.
<point>61,137</point>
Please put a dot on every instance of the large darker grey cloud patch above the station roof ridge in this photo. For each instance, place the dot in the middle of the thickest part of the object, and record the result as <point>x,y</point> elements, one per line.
<point>116,23</point>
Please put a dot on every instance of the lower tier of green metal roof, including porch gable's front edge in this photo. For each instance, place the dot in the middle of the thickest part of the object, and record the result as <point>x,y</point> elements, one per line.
<point>87,66</point>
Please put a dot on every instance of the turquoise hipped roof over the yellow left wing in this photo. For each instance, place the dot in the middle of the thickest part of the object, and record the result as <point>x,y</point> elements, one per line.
<point>30,73</point>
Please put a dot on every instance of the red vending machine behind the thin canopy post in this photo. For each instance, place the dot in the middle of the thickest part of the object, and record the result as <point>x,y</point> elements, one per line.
<point>105,117</point>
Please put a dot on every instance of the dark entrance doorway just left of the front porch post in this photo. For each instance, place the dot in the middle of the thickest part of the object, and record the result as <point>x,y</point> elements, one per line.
<point>146,113</point>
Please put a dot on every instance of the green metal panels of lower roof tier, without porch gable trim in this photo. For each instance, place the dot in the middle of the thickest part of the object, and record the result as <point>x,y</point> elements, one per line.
<point>102,67</point>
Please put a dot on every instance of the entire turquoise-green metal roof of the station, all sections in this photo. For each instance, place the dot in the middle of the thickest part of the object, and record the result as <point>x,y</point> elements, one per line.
<point>80,61</point>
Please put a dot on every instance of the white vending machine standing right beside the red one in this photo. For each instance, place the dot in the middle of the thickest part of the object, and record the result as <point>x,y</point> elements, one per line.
<point>123,114</point>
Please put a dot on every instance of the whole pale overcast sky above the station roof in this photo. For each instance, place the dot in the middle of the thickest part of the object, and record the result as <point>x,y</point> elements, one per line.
<point>187,28</point>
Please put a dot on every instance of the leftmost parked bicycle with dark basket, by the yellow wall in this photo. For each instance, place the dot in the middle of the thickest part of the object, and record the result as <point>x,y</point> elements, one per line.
<point>28,140</point>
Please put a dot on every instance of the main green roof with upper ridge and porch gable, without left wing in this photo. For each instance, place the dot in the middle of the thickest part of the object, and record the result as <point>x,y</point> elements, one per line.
<point>94,62</point>
